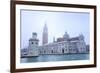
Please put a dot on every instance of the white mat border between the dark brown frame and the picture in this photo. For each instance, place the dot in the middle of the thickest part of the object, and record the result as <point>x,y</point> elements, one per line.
<point>52,64</point>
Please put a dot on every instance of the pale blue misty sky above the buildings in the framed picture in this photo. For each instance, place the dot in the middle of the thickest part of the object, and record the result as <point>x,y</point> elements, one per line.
<point>57,22</point>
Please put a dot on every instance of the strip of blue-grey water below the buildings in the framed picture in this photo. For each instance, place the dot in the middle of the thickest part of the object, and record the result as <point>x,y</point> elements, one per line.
<point>47,58</point>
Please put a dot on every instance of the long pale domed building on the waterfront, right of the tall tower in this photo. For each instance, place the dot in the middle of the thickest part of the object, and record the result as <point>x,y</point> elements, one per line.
<point>65,45</point>
